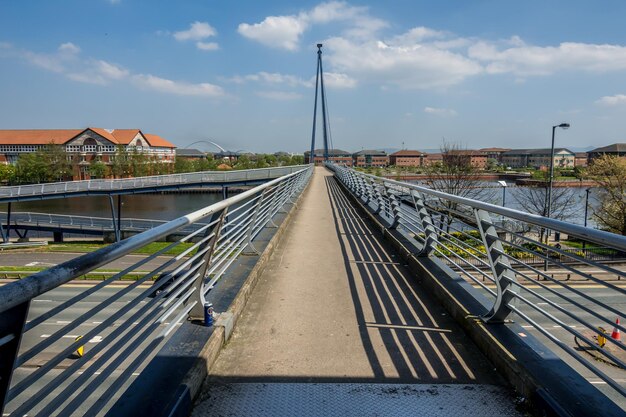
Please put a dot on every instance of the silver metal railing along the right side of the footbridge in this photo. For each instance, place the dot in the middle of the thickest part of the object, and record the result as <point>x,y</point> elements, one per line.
<point>440,223</point>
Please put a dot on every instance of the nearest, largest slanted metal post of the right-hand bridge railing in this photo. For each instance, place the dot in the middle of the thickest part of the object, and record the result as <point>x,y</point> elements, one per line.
<point>506,283</point>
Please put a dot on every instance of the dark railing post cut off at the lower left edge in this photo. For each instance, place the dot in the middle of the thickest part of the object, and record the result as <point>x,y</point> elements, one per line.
<point>11,327</point>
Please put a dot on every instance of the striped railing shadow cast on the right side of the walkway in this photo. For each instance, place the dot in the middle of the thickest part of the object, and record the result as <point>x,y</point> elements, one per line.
<point>423,342</point>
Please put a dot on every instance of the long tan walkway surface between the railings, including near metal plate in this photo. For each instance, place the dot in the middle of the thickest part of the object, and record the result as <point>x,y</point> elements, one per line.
<point>336,326</point>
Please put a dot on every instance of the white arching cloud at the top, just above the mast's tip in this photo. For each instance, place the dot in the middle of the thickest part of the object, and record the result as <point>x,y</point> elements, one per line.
<point>284,32</point>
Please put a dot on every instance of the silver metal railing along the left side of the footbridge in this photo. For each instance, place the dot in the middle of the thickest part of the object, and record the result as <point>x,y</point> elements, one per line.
<point>144,314</point>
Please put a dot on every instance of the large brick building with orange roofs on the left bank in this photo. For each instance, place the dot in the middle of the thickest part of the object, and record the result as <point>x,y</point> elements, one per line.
<point>84,146</point>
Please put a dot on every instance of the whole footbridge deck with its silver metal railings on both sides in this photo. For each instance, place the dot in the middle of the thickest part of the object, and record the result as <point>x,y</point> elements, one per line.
<point>332,298</point>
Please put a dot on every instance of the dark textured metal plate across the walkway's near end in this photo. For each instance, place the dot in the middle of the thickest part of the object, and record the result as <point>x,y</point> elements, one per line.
<point>354,399</point>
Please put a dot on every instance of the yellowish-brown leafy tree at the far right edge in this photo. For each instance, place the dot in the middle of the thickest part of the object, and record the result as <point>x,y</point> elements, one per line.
<point>609,172</point>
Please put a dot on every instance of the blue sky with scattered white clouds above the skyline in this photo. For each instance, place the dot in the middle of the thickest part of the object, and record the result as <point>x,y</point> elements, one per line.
<point>240,73</point>
